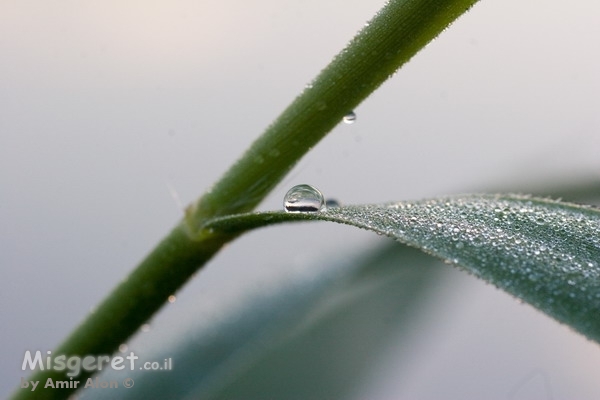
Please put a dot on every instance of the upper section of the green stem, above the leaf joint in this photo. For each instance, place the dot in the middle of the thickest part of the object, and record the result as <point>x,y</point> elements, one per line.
<point>388,41</point>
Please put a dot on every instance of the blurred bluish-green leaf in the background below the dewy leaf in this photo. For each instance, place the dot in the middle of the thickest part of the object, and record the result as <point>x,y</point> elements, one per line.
<point>313,337</point>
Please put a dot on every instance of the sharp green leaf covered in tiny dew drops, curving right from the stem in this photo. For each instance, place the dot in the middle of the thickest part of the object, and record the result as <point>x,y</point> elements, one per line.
<point>544,252</point>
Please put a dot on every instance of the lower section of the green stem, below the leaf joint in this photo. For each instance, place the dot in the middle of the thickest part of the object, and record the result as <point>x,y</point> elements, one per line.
<point>130,304</point>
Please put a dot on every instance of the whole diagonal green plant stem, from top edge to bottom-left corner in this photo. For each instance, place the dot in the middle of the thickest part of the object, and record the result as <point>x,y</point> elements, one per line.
<point>390,39</point>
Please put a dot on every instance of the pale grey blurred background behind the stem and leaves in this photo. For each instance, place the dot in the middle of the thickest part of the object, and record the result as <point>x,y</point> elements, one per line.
<point>105,105</point>
